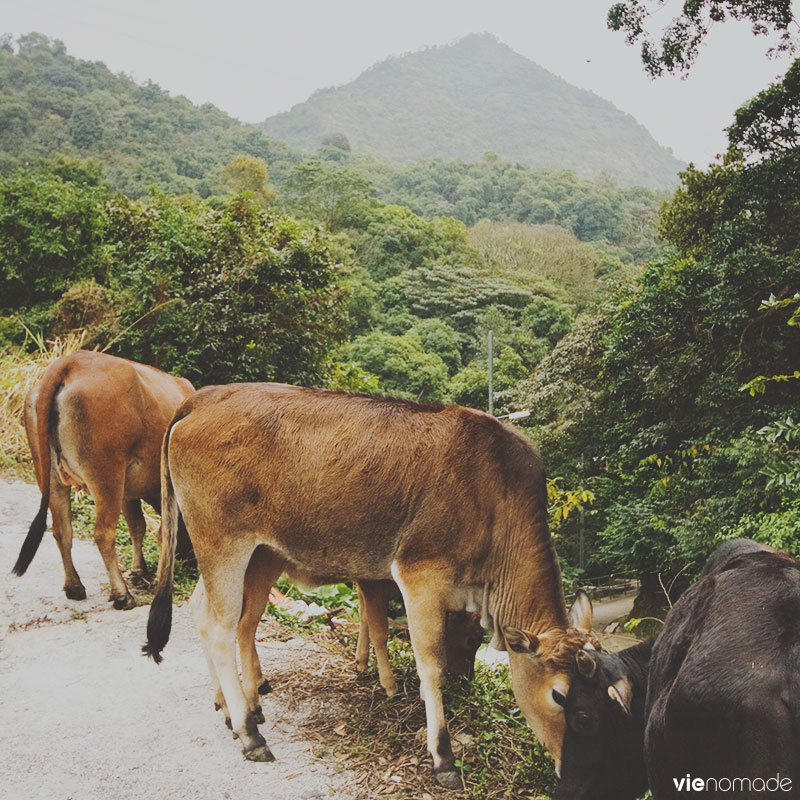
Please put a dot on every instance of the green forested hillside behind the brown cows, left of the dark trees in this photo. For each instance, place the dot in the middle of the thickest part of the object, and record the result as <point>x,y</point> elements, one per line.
<point>423,261</point>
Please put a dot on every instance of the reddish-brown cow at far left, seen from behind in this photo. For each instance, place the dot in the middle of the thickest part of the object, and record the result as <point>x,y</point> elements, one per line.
<point>96,422</point>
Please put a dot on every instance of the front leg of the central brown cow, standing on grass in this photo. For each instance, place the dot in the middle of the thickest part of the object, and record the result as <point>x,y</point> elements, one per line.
<point>425,596</point>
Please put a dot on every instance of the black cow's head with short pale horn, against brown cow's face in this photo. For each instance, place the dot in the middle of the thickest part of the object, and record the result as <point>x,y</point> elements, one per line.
<point>603,752</point>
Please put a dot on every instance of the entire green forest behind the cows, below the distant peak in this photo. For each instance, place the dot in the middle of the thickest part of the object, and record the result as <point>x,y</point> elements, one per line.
<point>653,337</point>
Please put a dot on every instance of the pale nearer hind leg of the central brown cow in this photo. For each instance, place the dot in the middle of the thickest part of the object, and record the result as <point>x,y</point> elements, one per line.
<point>217,612</point>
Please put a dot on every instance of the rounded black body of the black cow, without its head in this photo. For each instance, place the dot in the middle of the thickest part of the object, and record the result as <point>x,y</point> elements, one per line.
<point>723,677</point>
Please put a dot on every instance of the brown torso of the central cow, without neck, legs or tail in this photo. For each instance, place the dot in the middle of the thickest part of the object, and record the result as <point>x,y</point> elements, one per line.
<point>348,483</point>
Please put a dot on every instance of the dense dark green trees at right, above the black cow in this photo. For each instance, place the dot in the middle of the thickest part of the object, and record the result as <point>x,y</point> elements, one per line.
<point>676,402</point>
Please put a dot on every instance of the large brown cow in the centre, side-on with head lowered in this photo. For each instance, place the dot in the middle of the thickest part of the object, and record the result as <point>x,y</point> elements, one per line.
<point>447,501</point>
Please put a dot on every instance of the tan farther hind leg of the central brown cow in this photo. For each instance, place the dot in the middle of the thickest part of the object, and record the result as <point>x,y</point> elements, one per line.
<point>263,570</point>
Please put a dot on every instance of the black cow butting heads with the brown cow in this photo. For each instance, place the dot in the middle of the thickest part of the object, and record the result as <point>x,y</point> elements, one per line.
<point>723,693</point>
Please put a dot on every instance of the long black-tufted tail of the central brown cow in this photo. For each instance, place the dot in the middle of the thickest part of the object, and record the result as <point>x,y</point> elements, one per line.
<point>159,622</point>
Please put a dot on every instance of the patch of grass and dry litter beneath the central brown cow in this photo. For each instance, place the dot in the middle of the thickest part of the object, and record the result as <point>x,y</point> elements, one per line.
<point>383,739</point>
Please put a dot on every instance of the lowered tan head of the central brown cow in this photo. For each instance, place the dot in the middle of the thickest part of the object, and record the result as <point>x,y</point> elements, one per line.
<point>541,669</point>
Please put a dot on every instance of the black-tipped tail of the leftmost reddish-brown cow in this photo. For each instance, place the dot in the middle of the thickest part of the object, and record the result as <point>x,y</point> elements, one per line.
<point>46,424</point>
